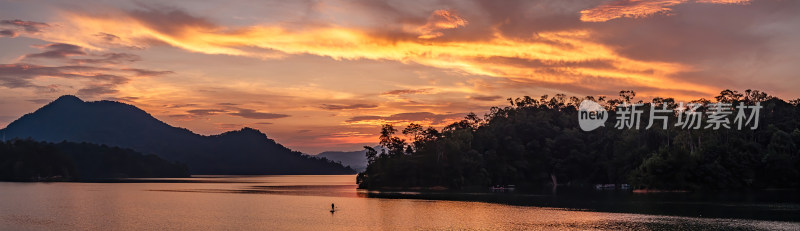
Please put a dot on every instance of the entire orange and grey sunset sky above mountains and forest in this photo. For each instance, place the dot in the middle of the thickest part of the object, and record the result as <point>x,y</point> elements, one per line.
<point>323,75</point>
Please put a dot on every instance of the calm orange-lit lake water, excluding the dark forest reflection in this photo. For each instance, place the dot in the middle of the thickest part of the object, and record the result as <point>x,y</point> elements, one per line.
<point>297,203</point>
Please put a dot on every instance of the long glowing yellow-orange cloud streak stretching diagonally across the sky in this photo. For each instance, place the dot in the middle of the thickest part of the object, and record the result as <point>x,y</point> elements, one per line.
<point>547,58</point>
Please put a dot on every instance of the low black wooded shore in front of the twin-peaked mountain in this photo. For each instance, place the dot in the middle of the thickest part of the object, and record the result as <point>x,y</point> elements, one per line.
<point>28,160</point>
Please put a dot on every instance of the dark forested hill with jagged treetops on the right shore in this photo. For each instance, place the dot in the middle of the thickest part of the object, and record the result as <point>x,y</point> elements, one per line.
<point>535,143</point>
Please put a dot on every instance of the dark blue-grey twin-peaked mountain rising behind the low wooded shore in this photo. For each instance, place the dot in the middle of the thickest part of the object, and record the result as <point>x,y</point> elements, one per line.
<point>246,151</point>
